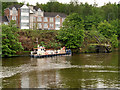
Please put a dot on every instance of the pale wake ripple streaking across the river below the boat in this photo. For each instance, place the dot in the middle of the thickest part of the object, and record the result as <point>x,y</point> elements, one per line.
<point>10,71</point>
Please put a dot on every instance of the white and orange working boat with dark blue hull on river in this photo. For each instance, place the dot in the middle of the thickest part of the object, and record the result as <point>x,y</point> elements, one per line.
<point>41,52</point>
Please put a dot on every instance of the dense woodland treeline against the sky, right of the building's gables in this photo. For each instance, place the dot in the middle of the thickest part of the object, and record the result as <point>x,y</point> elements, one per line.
<point>106,12</point>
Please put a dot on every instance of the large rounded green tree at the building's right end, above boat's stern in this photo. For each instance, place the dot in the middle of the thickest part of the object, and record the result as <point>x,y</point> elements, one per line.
<point>72,32</point>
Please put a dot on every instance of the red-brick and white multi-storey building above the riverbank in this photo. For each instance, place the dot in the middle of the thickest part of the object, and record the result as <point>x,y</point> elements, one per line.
<point>32,17</point>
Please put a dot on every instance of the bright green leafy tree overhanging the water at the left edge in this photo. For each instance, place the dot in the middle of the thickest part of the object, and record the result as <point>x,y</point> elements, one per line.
<point>10,43</point>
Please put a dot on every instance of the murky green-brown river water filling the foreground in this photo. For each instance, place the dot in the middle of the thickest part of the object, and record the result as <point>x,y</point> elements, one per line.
<point>77,71</point>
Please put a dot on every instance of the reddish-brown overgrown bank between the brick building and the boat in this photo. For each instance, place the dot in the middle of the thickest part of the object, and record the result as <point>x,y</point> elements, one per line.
<point>46,38</point>
